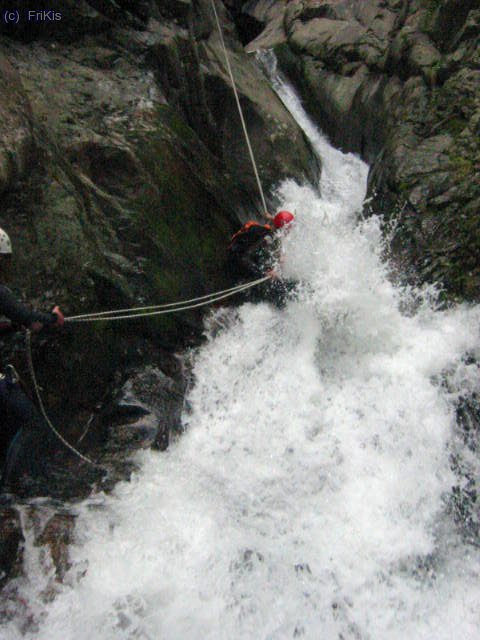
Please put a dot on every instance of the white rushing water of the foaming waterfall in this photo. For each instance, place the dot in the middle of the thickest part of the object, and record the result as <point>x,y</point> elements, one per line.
<point>307,497</point>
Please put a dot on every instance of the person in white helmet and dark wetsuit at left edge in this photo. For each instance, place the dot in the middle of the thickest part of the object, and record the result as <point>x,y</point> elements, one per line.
<point>23,432</point>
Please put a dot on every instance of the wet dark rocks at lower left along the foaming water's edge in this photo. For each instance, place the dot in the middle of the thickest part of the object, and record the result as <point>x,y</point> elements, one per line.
<point>145,410</point>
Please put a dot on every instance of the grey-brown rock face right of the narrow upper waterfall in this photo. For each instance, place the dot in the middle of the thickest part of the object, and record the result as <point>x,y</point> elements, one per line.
<point>398,82</point>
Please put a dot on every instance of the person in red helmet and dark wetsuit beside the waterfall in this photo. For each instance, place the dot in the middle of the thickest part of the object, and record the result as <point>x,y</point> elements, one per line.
<point>254,252</point>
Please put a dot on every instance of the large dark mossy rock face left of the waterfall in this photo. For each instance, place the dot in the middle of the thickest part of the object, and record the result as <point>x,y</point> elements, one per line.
<point>123,173</point>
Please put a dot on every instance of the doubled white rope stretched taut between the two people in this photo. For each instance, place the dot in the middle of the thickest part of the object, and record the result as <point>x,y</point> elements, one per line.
<point>161,309</point>
